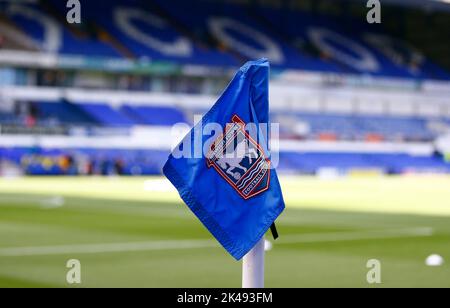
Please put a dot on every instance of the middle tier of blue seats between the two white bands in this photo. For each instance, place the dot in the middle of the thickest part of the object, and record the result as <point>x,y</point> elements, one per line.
<point>341,126</point>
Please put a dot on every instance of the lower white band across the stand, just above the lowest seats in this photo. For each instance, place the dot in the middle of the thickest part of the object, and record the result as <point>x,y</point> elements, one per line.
<point>165,139</point>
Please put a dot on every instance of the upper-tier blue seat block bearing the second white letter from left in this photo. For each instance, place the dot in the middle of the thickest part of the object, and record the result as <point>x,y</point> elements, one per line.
<point>162,32</point>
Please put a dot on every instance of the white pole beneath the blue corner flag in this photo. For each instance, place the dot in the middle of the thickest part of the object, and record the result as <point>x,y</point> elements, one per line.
<point>253,267</point>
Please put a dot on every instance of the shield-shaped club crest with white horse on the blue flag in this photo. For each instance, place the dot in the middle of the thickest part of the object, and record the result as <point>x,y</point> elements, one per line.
<point>240,160</point>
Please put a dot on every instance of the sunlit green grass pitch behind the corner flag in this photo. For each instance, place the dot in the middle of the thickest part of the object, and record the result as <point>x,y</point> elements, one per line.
<point>135,232</point>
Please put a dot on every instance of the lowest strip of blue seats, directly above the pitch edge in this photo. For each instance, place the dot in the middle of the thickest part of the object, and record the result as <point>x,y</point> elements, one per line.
<point>150,162</point>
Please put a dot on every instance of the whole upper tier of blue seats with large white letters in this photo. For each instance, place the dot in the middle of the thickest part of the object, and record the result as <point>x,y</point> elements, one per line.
<point>221,35</point>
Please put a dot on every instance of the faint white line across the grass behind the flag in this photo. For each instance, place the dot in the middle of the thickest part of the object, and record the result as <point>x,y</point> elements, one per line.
<point>198,244</point>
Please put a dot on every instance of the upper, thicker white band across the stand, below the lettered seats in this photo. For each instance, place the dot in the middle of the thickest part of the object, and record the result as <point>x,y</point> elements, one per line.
<point>283,97</point>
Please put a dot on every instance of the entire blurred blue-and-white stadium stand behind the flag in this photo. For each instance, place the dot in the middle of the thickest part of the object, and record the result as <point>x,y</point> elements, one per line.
<point>154,45</point>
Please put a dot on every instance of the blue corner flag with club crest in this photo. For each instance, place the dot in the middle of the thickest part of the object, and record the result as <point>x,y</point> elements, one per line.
<point>229,184</point>
